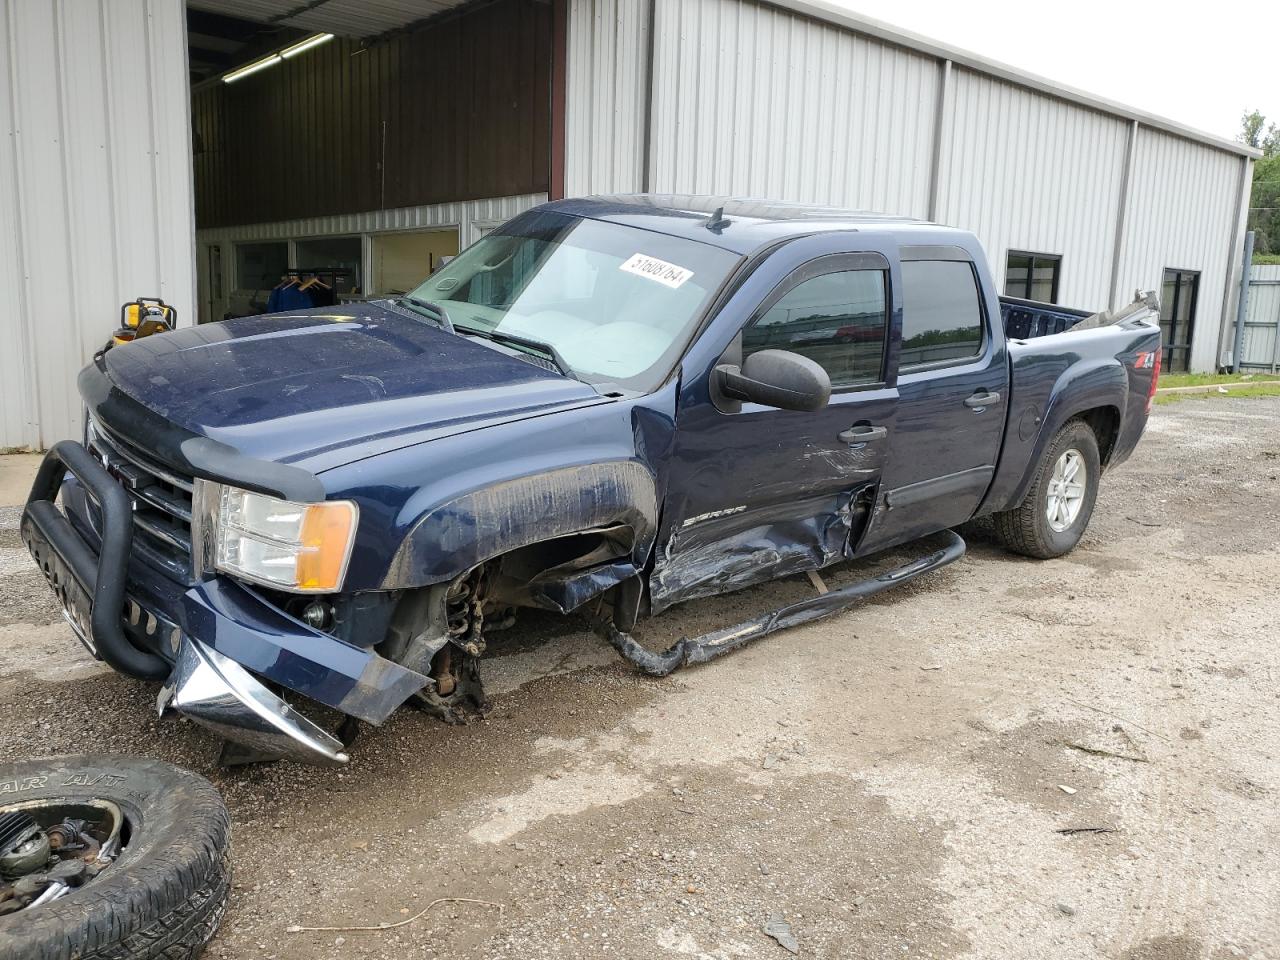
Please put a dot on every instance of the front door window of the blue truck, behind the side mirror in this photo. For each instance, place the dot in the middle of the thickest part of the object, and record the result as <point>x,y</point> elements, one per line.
<point>836,319</point>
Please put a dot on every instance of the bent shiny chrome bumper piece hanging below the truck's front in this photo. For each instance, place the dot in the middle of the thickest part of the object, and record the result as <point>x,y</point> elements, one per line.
<point>222,696</point>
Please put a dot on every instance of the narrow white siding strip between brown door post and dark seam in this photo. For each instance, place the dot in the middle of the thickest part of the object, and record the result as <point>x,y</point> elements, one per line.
<point>606,80</point>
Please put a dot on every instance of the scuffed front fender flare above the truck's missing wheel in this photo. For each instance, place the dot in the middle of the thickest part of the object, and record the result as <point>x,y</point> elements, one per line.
<point>454,537</point>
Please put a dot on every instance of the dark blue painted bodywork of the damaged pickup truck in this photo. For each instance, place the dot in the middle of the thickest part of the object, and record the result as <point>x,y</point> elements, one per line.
<point>458,451</point>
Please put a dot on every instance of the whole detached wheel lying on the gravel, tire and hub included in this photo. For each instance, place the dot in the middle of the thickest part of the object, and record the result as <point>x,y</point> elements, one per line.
<point>109,858</point>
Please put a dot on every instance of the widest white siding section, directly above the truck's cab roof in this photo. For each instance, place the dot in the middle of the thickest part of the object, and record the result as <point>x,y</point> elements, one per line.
<point>751,100</point>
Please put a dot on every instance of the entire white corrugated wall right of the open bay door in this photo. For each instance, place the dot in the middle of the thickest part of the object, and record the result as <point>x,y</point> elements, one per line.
<point>751,99</point>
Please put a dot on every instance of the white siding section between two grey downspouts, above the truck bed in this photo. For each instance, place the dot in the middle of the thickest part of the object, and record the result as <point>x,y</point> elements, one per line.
<point>1030,173</point>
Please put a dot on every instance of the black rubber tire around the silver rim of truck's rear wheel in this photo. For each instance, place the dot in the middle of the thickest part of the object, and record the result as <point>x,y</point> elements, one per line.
<point>1026,529</point>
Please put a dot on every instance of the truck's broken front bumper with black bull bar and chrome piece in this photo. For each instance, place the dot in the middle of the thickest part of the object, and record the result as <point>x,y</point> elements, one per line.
<point>207,639</point>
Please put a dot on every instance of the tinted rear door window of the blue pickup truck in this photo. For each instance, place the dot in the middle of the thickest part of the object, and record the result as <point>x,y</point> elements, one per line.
<point>941,313</point>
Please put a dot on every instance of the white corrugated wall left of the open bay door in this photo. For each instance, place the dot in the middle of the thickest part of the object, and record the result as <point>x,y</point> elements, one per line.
<point>95,191</point>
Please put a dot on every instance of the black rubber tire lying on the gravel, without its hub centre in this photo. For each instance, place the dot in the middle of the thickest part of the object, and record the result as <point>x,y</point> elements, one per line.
<point>163,897</point>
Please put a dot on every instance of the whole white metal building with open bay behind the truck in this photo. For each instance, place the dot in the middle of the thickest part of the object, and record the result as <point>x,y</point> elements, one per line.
<point>135,170</point>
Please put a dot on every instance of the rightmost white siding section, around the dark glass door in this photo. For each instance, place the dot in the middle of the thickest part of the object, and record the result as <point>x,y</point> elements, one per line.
<point>1182,209</point>
